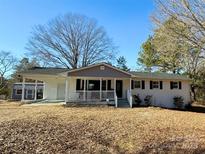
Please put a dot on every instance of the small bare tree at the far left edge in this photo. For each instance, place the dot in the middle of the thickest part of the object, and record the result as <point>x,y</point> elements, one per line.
<point>7,63</point>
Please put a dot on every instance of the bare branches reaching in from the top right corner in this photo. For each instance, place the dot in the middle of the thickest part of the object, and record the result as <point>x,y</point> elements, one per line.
<point>189,13</point>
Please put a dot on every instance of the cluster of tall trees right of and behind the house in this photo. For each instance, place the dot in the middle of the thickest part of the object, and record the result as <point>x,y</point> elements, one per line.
<point>178,42</point>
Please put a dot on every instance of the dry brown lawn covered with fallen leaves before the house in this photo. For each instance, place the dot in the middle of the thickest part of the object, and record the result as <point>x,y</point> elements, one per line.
<point>59,129</point>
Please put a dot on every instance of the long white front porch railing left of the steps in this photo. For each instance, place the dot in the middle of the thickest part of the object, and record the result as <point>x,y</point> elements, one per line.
<point>81,95</point>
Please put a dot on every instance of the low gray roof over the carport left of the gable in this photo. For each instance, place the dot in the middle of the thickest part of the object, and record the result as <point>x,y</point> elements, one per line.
<point>45,71</point>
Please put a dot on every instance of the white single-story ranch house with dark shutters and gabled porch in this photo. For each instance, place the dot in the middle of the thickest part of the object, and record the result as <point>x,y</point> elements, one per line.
<point>101,83</point>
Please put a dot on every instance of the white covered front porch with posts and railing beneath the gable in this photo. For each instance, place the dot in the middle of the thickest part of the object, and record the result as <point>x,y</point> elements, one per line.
<point>97,90</point>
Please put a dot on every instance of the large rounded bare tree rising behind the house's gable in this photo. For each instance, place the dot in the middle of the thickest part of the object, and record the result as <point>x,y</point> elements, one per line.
<point>71,41</point>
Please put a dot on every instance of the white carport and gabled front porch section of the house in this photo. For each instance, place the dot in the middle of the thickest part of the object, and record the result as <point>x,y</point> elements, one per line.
<point>92,84</point>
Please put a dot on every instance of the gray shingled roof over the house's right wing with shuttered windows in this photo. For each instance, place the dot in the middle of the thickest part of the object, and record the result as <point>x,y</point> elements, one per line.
<point>157,75</point>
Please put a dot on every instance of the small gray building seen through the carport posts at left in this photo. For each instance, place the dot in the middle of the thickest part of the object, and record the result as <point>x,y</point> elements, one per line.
<point>32,91</point>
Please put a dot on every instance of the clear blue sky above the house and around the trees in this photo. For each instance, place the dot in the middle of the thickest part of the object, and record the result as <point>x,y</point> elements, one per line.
<point>127,22</point>
